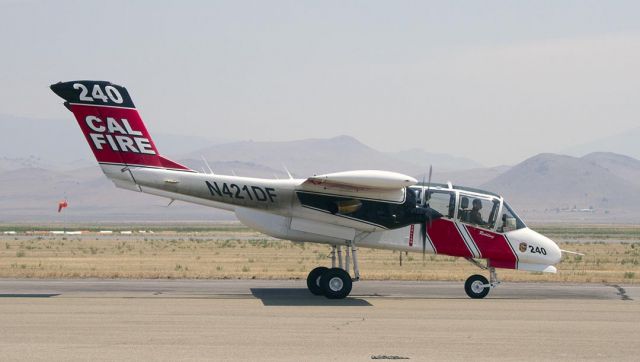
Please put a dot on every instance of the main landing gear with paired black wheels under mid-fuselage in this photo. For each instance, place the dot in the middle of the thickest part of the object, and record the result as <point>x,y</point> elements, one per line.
<point>335,282</point>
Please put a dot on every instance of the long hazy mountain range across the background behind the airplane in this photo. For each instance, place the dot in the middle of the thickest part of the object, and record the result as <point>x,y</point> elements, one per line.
<point>598,187</point>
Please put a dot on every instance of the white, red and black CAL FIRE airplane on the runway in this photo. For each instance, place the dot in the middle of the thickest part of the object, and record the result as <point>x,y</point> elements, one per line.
<point>350,209</point>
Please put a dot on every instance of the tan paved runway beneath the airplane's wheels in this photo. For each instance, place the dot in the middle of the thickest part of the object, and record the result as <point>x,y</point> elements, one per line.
<point>280,320</point>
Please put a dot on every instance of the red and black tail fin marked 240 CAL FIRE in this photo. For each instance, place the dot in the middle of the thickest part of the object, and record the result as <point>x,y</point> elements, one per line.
<point>111,124</point>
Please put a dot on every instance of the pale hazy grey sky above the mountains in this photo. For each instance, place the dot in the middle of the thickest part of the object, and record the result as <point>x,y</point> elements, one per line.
<point>496,81</point>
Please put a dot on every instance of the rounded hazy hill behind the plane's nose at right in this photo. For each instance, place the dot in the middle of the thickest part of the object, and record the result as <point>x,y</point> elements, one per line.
<point>546,185</point>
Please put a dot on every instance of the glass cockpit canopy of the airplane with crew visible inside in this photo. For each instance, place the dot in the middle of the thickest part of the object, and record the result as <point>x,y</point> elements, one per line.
<point>471,206</point>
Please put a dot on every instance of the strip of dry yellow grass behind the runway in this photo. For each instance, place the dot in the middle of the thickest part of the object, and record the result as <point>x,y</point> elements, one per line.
<point>241,253</point>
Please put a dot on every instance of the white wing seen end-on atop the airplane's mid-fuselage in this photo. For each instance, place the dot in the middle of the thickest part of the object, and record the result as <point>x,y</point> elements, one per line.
<point>367,184</point>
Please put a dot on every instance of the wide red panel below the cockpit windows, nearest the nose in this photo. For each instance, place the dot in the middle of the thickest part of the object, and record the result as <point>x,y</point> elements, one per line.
<point>494,247</point>
